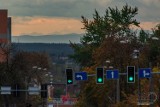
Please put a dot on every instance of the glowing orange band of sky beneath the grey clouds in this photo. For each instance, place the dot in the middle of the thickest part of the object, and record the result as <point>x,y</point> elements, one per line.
<point>46,25</point>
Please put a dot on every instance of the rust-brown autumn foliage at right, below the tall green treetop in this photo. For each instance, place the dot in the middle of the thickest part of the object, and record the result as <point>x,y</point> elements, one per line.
<point>120,54</point>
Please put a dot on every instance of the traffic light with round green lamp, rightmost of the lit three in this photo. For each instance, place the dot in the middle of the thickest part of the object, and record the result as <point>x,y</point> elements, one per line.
<point>130,74</point>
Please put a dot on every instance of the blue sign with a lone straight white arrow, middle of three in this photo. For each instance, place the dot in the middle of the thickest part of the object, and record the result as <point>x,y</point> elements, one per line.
<point>112,74</point>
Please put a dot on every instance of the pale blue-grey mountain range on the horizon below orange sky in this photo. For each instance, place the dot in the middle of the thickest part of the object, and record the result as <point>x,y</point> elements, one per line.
<point>75,38</point>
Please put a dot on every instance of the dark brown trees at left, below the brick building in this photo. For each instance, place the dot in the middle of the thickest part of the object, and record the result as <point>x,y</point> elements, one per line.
<point>17,67</point>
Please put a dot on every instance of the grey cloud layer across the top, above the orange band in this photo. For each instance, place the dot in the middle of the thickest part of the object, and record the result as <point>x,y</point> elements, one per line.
<point>148,9</point>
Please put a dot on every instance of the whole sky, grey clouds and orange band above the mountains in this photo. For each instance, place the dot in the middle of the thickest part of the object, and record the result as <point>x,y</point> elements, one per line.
<point>43,17</point>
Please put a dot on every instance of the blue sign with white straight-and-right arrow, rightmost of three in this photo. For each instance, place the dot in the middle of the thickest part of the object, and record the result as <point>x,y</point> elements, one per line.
<point>144,73</point>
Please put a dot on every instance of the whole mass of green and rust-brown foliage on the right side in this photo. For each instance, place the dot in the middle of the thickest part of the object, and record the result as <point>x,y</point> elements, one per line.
<point>110,37</point>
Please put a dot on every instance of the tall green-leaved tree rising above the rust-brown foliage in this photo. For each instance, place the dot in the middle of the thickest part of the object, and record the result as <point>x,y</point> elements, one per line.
<point>114,23</point>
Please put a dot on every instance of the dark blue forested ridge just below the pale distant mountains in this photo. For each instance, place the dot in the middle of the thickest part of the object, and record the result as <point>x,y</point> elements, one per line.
<point>54,49</point>
